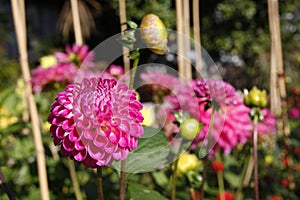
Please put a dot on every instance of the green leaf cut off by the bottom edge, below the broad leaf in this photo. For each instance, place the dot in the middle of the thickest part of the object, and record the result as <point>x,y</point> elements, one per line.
<point>140,192</point>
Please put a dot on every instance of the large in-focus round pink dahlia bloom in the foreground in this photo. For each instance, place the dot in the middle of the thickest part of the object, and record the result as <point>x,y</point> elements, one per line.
<point>96,121</point>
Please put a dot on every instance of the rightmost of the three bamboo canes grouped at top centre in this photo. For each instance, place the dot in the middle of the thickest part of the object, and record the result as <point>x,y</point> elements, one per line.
<point>197,37</point>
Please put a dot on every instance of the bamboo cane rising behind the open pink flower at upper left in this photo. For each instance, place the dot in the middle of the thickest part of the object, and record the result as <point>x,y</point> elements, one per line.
<point>76,22</point>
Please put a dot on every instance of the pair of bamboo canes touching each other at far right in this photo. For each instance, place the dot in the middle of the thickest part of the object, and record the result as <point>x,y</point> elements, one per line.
<point>277,79</point>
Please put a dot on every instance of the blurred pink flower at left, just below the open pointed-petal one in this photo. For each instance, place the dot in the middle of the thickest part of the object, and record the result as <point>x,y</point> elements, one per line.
<point>59,73</point>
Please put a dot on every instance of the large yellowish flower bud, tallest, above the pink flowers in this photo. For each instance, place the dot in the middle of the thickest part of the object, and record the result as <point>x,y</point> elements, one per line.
<point>154,34</point>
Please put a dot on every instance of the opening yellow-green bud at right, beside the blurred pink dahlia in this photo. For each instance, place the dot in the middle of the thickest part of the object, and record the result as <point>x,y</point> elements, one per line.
<point>255,98</point>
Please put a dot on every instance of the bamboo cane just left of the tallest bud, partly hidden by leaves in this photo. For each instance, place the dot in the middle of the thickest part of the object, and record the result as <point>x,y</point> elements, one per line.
<point>122,10</point>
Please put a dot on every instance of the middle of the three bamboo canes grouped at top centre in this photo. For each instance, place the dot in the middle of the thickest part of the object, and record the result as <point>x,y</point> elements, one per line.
<point>187,41</point>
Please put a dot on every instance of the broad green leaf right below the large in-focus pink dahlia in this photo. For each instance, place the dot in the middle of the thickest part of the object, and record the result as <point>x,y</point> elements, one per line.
<point>151,153</point>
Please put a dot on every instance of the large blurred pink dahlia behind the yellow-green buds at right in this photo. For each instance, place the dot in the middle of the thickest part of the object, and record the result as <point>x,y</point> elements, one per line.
<point>231,120</point>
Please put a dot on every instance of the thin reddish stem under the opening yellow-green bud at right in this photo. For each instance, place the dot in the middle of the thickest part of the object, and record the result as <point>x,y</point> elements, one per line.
<point>255,135</point>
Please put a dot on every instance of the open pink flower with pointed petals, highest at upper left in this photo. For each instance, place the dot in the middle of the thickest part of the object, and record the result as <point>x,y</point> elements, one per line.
<point>77,55</point>
